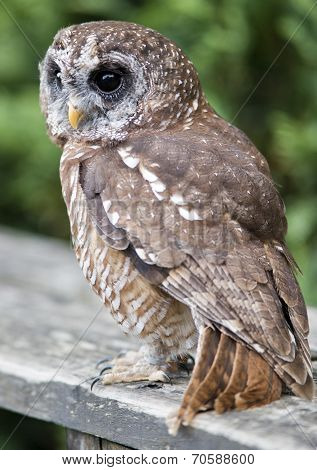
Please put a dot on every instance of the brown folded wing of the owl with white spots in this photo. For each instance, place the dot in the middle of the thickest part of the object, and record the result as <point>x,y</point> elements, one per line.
<point>201,217</point>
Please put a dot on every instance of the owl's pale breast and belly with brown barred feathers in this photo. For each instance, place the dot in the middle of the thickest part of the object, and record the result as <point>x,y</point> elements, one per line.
<point>140,309</point>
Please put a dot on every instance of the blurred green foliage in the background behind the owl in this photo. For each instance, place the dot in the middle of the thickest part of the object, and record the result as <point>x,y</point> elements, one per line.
<point>231,42</point>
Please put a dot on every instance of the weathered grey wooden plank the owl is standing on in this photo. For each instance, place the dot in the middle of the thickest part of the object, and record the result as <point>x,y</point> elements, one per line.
<point>54,330</point>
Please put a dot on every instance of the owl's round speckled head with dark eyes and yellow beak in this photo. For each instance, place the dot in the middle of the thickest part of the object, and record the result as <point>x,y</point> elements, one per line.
<point>103,80</point>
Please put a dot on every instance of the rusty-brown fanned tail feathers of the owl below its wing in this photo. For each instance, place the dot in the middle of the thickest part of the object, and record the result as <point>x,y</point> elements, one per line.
<point>226,376</point>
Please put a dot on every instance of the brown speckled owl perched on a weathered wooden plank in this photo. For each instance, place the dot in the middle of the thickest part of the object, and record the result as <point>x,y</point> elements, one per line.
<point>175,220</point>
